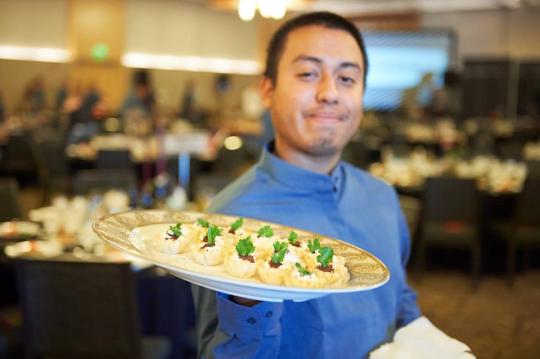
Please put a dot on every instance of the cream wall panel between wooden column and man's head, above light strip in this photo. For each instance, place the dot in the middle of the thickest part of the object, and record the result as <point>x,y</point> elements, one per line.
<point>180,28</point>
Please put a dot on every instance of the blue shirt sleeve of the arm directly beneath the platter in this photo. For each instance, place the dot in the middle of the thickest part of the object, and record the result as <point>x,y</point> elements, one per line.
<point>229,330</point>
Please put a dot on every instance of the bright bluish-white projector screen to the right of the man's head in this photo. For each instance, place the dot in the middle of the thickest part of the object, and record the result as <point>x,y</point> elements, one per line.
<point>398,60</point>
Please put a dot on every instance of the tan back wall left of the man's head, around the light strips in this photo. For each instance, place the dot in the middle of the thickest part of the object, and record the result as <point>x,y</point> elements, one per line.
<point>157,27</point>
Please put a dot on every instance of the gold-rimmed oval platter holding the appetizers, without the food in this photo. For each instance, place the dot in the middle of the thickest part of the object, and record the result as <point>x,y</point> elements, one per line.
<point>133,233</point>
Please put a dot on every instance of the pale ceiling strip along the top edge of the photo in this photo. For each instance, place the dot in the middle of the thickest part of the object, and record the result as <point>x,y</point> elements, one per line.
<point>358,7</point>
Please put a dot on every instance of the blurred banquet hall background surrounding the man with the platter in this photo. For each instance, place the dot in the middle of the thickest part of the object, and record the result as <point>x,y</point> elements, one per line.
<point>108,106</point>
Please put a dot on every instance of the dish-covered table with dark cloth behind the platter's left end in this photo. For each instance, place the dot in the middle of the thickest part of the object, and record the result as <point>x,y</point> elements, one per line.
<point>63,231</point>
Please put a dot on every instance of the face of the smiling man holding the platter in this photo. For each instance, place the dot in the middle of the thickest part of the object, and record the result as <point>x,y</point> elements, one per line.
<point>316,102</point>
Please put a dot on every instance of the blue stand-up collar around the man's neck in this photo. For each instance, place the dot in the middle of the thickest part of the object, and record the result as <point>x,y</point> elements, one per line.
<point>297,177</point>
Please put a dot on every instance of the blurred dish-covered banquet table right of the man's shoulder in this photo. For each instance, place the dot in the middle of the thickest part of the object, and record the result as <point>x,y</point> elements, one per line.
<point>499,182</point>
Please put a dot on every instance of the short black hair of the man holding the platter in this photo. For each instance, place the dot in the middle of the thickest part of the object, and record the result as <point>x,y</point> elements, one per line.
<point>323,18</point>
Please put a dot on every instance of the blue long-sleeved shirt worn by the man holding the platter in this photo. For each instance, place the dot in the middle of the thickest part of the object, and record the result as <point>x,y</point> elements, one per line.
<point>348,204</point>
